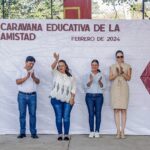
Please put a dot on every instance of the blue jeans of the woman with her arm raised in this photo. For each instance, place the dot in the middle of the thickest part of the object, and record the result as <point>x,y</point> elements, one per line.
<point>62,113</point>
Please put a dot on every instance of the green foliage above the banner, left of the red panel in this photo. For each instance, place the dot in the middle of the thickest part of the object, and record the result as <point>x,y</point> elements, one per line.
<point>32,8</point>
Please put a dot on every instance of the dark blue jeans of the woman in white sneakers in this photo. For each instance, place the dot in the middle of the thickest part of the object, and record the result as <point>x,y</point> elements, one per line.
<point>94,104</point>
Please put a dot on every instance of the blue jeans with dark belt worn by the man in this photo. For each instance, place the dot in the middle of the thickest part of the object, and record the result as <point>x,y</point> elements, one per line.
<point>25,100</point>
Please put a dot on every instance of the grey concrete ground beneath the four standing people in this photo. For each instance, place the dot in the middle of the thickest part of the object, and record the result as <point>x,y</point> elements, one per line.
<point>77,142</point>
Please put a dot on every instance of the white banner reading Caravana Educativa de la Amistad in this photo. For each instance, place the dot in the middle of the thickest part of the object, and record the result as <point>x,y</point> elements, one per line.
<point>78,42</point>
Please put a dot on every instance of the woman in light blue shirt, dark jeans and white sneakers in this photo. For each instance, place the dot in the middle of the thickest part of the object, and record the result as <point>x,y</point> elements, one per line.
<point>94,86</point>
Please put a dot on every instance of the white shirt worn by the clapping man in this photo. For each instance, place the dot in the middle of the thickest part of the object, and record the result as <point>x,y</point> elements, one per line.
<point>29,85</point>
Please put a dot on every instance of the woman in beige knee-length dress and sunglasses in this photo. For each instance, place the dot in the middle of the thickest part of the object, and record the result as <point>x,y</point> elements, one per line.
<point>120,74</point>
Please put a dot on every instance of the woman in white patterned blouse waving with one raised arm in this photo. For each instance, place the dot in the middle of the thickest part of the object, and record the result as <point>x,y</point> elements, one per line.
<point>62,95</point>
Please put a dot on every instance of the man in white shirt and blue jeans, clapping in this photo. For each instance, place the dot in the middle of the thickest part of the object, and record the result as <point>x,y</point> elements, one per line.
<point>27,81</point>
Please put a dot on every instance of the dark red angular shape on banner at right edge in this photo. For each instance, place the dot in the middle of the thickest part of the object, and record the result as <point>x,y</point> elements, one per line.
<point>145,77</point>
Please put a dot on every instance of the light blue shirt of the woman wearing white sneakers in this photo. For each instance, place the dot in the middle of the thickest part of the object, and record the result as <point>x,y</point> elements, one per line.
<point>95,87</point>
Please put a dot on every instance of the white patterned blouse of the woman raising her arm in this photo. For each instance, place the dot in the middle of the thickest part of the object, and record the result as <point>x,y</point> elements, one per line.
<point>63,86</point>
